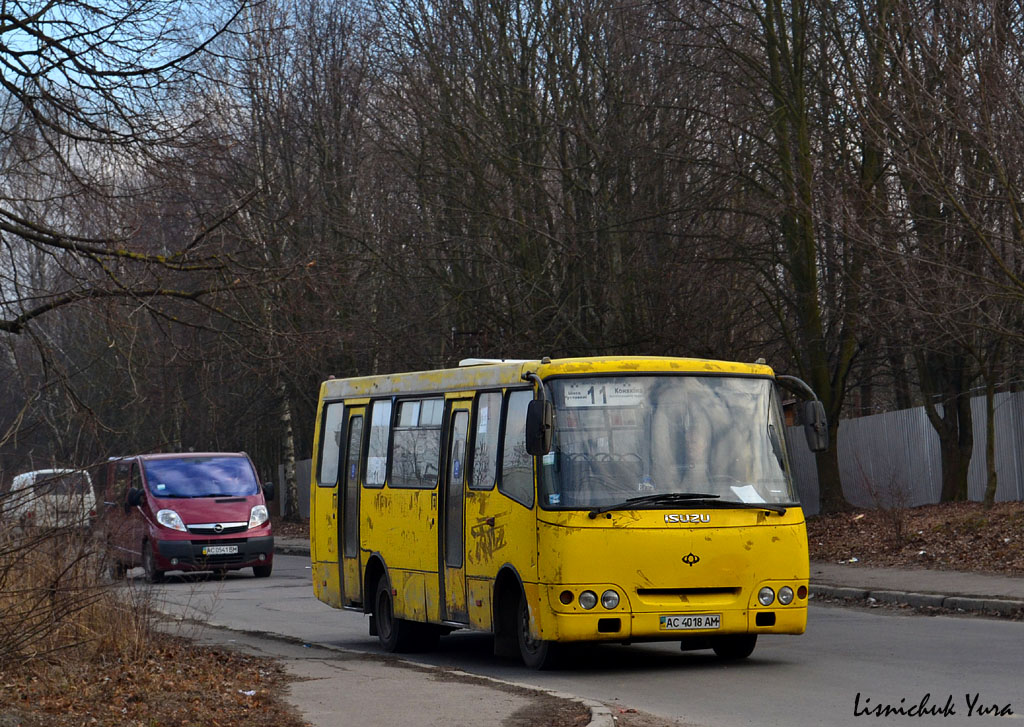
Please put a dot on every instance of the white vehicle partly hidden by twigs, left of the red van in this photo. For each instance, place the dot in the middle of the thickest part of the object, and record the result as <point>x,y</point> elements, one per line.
<point>55,498</point>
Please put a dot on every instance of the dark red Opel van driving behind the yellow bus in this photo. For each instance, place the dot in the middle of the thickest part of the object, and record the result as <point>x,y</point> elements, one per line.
<point>192,511</point>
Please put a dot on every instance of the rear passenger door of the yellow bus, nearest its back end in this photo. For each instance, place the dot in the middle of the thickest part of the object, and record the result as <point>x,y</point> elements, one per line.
<point>349,524</point>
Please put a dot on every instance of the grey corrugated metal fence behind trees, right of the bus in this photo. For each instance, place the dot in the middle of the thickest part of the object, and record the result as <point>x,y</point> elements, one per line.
<point>893,459</point>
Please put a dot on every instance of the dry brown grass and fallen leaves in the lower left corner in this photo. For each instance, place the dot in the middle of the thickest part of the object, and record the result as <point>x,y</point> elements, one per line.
<point>75,651</point>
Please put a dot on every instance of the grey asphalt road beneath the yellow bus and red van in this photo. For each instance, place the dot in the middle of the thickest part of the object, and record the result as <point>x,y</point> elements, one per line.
<point>850,664</point>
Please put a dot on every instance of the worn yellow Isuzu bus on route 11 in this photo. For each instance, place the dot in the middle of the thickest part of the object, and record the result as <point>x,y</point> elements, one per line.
<point>549,502</point>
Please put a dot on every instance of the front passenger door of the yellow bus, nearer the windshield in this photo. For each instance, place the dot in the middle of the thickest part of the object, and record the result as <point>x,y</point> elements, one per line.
<point>453,534</point>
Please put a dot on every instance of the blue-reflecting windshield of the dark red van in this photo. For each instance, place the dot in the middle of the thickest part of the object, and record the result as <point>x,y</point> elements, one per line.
<point>201,478</point>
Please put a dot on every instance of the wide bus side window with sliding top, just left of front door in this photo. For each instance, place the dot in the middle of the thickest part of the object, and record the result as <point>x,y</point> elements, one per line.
<point>417,444</point>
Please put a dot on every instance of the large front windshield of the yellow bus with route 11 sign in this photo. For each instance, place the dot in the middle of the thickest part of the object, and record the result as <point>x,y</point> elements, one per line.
<point>623,438</point>
